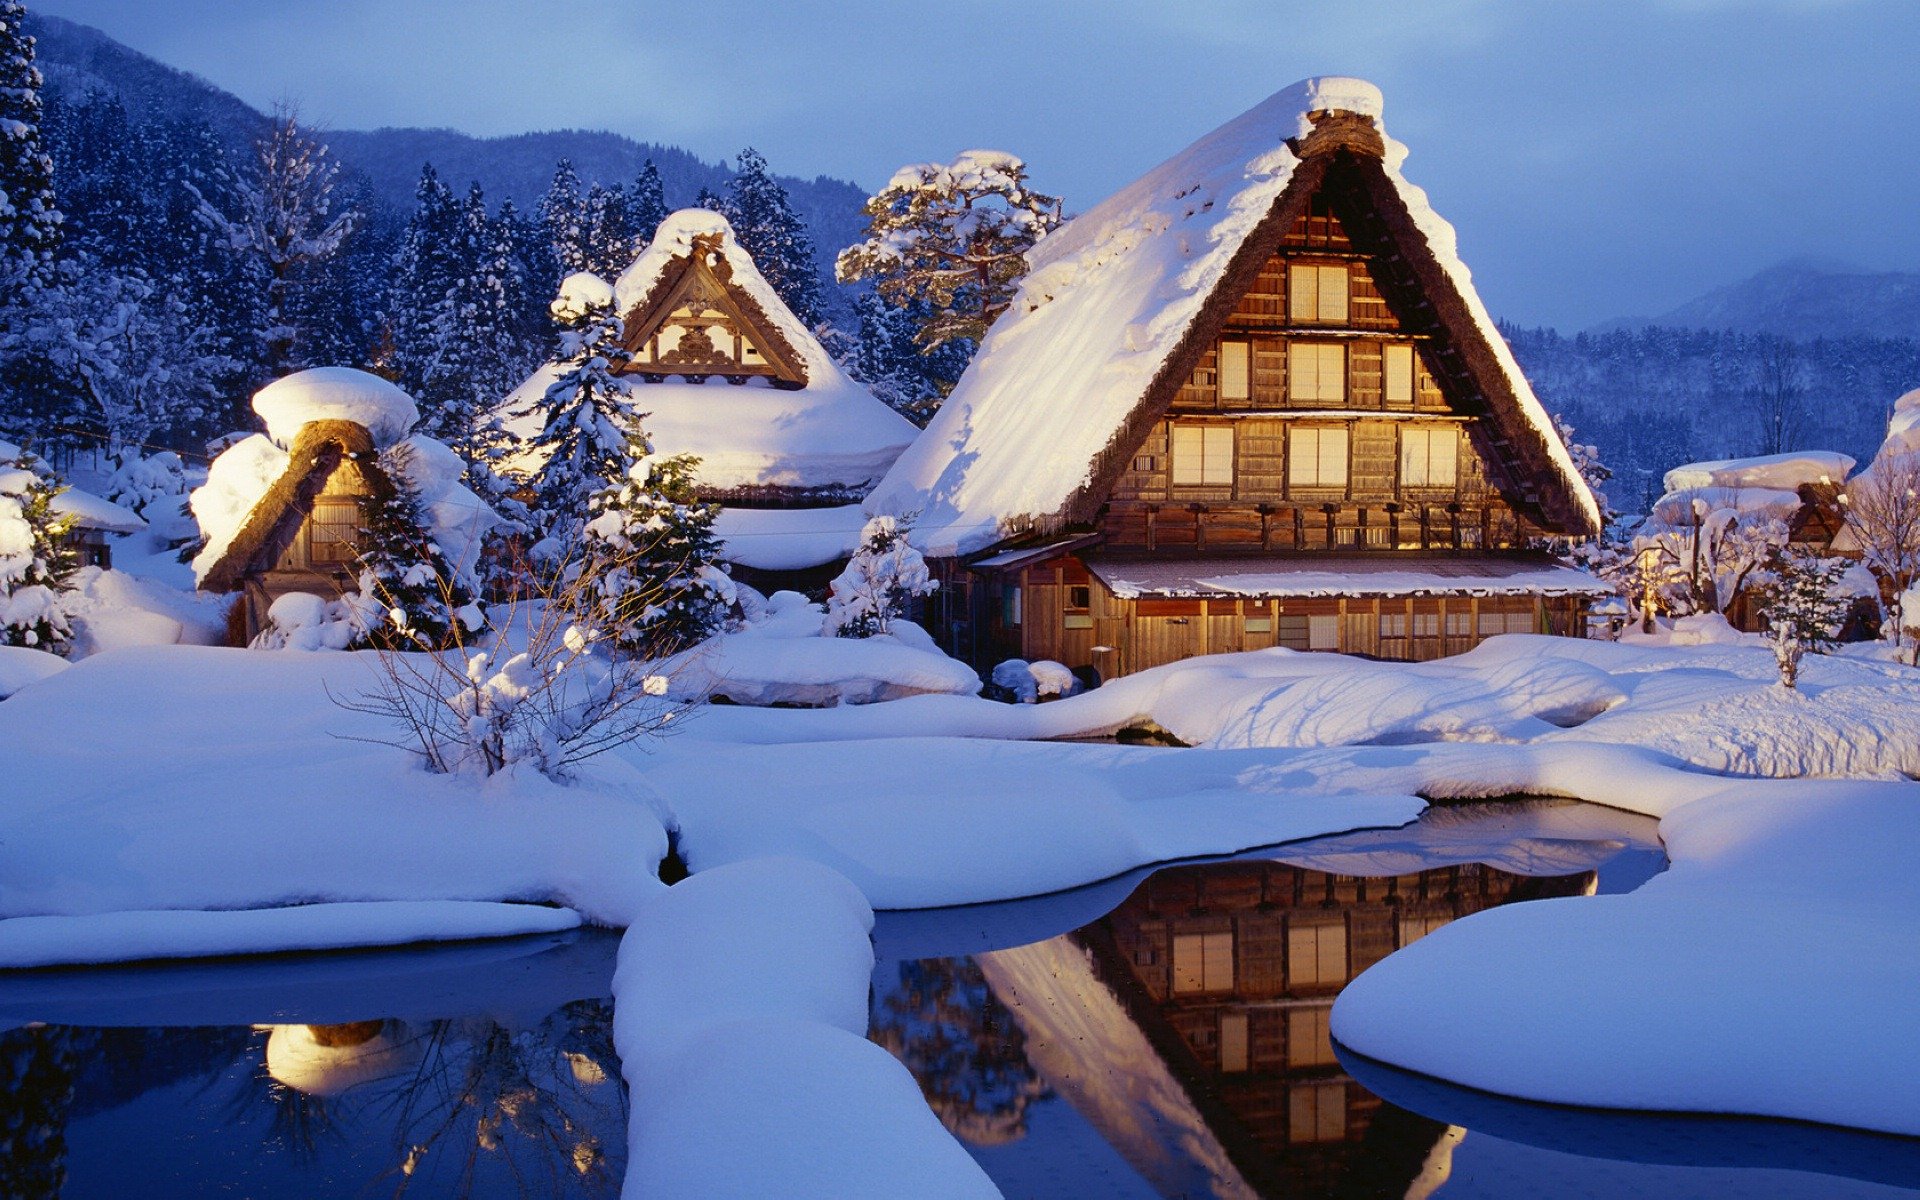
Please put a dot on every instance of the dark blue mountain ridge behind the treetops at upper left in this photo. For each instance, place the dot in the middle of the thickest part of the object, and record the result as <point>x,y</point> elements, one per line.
<point>80,60</point>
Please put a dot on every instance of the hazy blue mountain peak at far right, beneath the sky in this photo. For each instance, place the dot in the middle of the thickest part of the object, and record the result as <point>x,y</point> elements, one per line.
<point>1802,300</point>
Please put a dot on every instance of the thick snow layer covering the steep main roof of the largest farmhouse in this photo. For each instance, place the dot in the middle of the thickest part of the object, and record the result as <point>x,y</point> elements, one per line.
<point>1107,302</point>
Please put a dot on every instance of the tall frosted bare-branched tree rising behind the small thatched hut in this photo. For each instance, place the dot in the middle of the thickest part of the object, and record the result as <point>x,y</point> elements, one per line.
<point>285,224</point>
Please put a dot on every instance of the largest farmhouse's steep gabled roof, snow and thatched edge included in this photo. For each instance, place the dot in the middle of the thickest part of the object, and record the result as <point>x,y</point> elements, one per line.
<point>1126,299</point>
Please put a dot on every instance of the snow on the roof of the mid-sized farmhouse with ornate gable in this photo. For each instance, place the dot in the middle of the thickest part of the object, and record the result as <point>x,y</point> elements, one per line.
<point>828,435</point>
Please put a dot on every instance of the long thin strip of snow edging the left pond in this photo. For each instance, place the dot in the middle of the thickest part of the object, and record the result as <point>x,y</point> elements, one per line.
<point>37,942</point>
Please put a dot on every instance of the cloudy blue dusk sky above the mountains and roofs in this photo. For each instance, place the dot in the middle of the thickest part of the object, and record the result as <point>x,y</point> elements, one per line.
<point>1600,158</point>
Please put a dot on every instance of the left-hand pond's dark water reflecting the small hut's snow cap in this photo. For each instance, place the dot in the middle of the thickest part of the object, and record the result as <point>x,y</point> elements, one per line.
<point>510,1092</point>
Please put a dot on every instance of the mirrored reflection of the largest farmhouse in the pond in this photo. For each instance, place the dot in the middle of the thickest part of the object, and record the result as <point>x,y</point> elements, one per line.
<point>1230,974</point>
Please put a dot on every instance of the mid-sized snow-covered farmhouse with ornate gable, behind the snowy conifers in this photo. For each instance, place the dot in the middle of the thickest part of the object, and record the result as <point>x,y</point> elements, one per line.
<point>725,372</point>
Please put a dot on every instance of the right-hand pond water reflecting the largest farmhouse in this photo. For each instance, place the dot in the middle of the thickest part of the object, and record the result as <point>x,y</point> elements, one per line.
<point>1180,1044</point>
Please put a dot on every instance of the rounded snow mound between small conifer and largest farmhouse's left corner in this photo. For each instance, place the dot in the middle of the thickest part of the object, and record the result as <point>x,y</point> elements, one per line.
<point>780,658</point>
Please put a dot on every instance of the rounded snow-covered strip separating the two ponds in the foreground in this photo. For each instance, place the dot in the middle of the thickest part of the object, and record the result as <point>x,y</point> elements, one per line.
<point>742,1030</point>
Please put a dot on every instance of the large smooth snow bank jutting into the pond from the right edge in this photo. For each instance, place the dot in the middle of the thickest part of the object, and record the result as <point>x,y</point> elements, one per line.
<point>1802,892</point>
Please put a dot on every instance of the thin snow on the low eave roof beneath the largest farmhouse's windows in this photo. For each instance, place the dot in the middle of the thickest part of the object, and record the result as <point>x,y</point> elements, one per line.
<point>1341,575</point>
